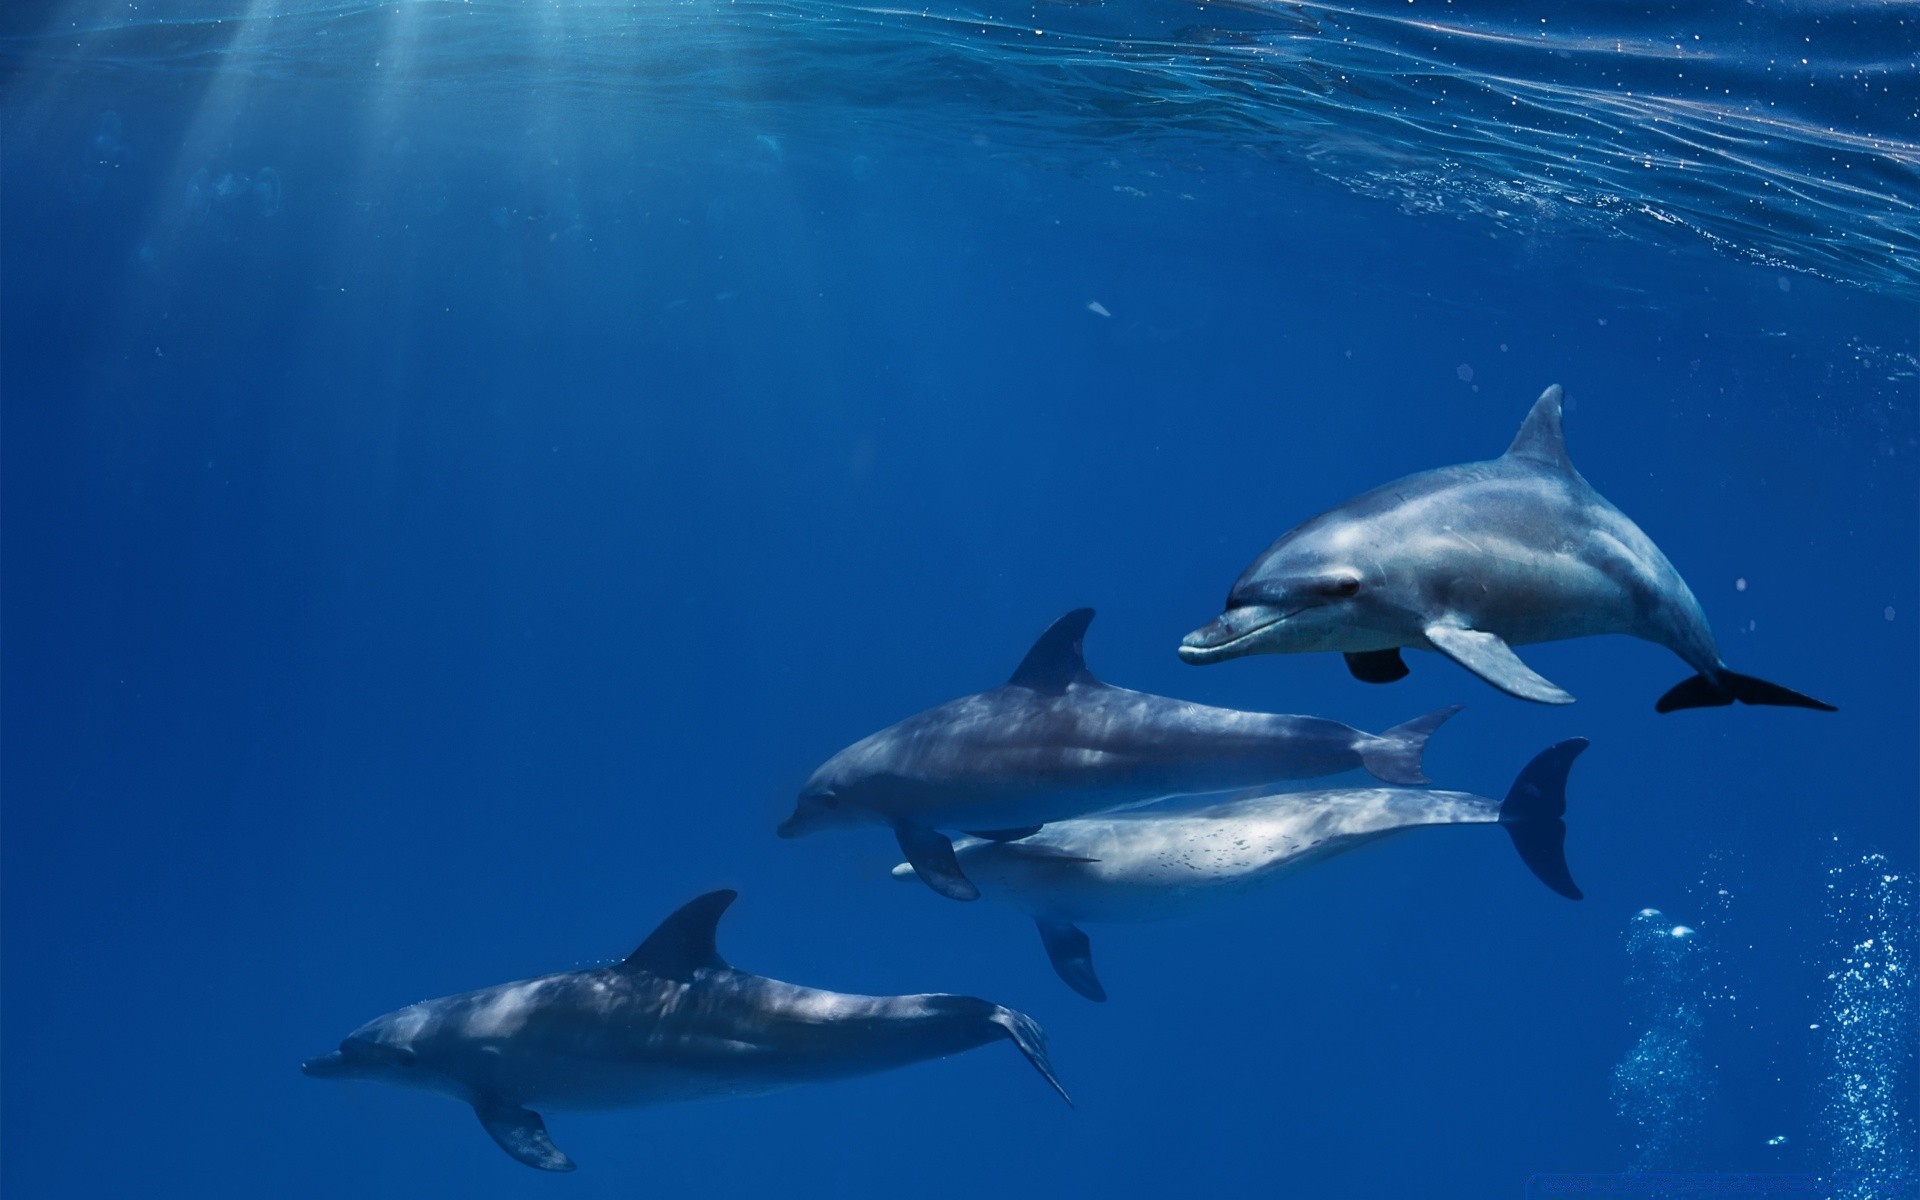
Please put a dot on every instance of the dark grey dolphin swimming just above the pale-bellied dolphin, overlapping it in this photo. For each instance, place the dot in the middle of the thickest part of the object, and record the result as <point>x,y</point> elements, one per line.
<point>1055,742</point>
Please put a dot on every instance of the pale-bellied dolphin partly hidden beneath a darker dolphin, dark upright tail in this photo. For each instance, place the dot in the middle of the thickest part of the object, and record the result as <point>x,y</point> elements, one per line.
<point>1151,865</point>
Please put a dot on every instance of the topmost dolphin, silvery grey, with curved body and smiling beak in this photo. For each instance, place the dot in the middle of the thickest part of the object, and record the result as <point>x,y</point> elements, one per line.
<point>1472,562</point>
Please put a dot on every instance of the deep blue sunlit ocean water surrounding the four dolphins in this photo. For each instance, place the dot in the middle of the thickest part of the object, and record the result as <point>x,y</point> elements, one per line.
<point>468,464</point>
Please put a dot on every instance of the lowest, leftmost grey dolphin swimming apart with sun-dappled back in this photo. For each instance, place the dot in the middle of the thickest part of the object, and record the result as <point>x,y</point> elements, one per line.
<point>673,1022</point>
